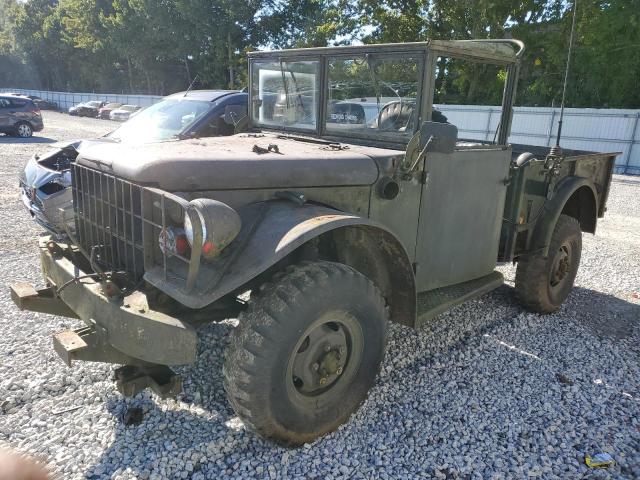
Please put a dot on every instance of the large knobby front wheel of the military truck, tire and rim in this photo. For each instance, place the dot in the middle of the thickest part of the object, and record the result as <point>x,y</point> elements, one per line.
<point>306,352</point>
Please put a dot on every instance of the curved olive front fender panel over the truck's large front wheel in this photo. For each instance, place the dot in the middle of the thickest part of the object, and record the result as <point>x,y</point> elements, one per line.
<point>272,230</point>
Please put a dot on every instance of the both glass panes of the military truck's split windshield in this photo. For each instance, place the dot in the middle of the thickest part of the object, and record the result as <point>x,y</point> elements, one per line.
<point>369,96</point>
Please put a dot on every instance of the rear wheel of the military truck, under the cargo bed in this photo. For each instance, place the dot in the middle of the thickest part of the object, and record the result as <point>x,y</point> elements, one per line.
<point>543,283</point>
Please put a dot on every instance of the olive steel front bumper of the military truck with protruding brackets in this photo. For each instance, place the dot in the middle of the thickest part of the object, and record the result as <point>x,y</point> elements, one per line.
<point>122,330</point>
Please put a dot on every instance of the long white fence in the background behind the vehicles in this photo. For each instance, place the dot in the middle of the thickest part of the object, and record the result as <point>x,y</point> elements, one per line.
<point>598,130</point>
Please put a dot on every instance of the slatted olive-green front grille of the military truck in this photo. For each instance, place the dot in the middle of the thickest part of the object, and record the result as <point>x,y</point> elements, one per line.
<point>108,218</point>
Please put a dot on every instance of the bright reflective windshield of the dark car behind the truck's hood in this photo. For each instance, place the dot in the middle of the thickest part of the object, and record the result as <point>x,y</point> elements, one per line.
<point>161,121</point>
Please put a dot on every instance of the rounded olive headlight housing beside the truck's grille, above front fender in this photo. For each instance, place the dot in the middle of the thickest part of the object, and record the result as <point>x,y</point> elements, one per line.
<point>219,222</point>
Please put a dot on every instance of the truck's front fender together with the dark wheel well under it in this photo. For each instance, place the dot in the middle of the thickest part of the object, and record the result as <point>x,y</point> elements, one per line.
<point>273,230</point>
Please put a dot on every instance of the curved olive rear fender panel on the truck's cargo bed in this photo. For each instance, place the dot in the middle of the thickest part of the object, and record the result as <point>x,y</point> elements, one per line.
<point>545,225</point>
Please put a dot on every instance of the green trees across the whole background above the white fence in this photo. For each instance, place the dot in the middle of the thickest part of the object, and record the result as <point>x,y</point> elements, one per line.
<point>150,46</point>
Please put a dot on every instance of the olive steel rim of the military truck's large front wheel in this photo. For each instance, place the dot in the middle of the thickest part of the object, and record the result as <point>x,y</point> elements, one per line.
<point>325,358</point>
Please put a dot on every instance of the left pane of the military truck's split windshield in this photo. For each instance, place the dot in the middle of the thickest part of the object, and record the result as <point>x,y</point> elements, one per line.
<point>285,94</point>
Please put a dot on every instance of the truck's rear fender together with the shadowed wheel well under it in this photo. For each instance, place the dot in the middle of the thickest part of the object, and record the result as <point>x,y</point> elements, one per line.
<point>570,189</point>
